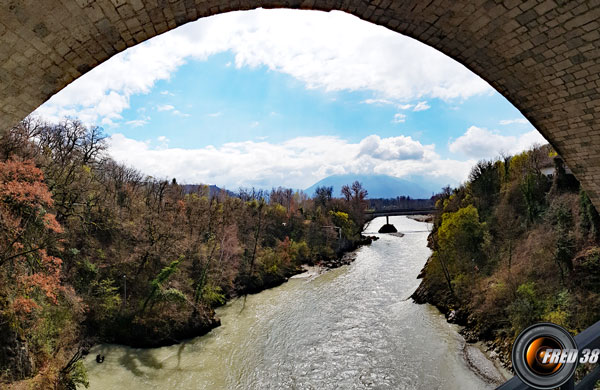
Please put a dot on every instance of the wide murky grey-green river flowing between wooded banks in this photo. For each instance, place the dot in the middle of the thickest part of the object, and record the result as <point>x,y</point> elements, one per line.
<point>349,328</point>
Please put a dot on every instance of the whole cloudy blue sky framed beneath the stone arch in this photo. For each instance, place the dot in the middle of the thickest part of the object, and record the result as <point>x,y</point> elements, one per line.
<point>280,97</point>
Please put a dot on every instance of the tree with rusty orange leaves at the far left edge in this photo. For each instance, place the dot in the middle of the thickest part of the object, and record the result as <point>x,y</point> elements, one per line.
<point>27,230</point>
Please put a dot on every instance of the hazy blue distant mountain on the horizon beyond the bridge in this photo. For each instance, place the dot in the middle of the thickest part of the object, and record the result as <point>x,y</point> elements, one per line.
<point>378,186</point>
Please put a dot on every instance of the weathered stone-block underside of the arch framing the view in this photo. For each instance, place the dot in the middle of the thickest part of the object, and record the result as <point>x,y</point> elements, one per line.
<point>543,55</point>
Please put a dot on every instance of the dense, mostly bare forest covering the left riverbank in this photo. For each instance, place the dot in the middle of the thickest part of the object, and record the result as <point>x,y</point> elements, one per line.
<point>93,251</point>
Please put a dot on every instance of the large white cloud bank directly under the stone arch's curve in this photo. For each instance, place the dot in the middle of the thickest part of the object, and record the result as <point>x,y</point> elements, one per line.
<point>334,51</point>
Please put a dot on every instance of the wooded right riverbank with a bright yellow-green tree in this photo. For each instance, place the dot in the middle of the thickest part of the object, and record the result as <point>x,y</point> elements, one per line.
<point>513,246</point>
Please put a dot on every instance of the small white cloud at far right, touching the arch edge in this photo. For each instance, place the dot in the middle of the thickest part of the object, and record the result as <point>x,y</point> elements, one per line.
<point>479,142</point>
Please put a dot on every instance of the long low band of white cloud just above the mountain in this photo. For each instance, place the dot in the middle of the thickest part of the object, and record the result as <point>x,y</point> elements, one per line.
<point>296,163</point>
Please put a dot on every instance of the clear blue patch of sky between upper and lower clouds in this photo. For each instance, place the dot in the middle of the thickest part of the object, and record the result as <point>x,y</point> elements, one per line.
<point>217,103</point>
